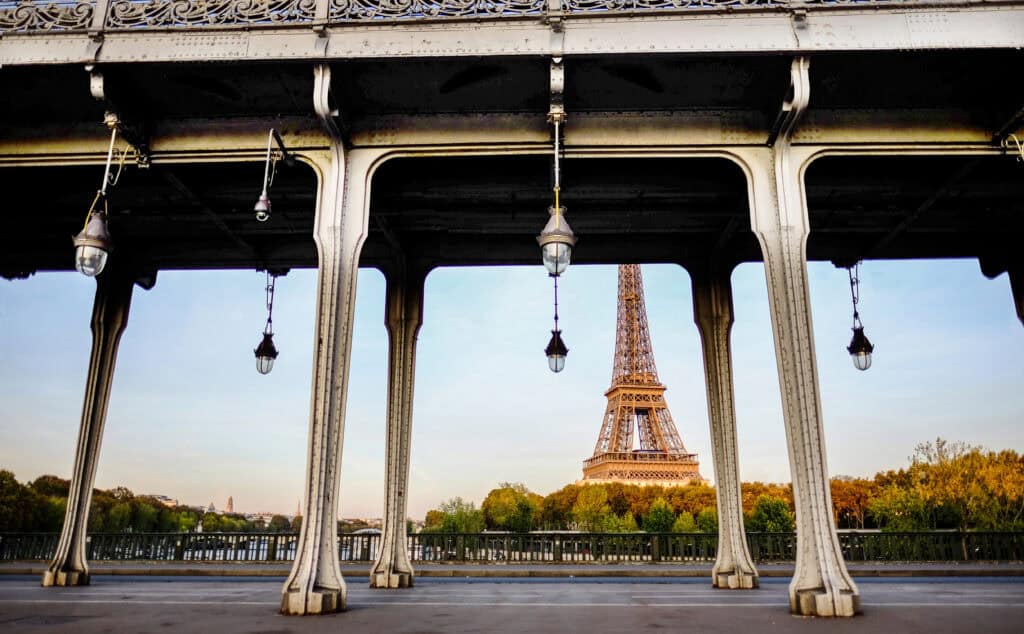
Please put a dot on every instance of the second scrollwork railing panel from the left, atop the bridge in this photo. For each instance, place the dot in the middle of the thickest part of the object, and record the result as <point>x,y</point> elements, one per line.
<point>185,14</point>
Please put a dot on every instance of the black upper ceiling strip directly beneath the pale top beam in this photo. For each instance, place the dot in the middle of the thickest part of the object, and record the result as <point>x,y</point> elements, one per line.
<point>975,82</point>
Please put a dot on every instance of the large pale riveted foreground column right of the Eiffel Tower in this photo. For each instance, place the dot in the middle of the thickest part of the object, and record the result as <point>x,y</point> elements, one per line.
<point>822,586</point>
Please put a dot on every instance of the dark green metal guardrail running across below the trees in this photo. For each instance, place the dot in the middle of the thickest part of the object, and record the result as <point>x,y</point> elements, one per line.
<point>521,547</point>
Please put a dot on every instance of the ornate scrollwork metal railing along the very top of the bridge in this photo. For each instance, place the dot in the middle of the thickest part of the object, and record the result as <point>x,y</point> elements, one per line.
<point>97,16</point>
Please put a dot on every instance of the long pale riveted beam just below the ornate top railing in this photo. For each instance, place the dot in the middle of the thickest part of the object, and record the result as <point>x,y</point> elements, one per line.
<point>839,29</point>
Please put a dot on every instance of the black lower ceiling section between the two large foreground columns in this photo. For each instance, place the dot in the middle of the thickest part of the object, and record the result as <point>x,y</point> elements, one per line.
<point>489,212</point>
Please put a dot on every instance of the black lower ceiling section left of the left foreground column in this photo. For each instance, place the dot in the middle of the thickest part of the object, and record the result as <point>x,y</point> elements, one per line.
<point>168,217</point>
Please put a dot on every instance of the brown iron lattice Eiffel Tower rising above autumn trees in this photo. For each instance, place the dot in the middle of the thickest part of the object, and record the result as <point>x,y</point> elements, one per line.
<point>636,404</point>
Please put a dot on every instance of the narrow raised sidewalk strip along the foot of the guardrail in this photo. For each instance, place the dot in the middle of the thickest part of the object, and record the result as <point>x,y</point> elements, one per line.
<point>222,569</point>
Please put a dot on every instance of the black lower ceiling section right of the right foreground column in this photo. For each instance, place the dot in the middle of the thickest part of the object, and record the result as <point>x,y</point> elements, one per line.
<point>907,207</point>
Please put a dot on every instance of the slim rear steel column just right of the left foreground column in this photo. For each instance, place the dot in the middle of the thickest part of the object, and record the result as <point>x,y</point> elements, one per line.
<point>404,318</point>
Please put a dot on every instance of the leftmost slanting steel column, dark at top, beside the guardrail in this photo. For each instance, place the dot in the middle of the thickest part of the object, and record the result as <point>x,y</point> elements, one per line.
<point>110,317</point>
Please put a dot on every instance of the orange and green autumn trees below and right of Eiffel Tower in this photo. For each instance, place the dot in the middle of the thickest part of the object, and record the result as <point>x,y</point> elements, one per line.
<point>948,486</point>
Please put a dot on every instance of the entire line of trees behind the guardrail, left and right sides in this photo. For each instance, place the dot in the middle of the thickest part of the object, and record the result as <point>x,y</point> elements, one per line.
<point>948,486</point>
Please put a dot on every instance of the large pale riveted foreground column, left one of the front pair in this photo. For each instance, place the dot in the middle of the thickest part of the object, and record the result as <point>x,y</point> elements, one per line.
<point>315,585</point>
